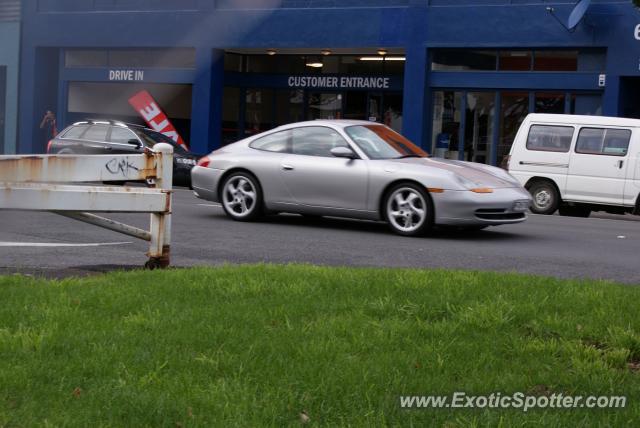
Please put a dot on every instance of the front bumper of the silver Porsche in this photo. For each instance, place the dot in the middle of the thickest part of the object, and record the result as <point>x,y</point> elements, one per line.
<point>503,206</point>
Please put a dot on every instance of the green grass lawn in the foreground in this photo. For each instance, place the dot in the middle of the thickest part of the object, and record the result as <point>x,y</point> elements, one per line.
<point>253,346</point>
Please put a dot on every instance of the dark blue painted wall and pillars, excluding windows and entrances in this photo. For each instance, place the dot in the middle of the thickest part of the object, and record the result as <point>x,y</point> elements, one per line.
<point>210,26</point>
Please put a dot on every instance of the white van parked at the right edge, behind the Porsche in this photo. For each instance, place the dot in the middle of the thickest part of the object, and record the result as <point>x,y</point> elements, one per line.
<point>578,164</point>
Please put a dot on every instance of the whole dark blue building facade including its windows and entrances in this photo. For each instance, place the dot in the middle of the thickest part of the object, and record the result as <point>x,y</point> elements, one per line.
<point>455,76</point>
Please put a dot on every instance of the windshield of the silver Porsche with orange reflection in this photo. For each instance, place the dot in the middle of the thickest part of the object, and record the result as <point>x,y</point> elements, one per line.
<point>380,142</point>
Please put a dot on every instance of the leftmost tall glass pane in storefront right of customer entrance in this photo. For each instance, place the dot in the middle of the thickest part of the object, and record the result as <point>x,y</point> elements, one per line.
<point>447,114</point>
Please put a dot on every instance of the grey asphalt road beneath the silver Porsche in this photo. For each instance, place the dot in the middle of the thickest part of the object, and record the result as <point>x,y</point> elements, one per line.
<point>603,248</point>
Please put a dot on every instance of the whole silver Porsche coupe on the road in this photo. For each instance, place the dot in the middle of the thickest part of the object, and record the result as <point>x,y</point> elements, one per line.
<point>355,169</point>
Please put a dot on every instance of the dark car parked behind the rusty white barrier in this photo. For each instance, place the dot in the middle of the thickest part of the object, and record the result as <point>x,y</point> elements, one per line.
<point>102,137</point>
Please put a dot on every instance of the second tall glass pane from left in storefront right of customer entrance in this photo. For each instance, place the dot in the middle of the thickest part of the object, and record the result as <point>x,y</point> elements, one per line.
<point>479,129</point>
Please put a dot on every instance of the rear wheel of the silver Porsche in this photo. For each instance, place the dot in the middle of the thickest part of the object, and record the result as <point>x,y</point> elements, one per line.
<point>242,197</point>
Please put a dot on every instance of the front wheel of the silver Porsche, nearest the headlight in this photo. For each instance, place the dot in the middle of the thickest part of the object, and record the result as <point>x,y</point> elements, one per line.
<point>408,210</point>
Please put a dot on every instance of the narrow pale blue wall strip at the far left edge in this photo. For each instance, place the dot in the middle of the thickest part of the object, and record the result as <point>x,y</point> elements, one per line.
<point>10,58</point>
